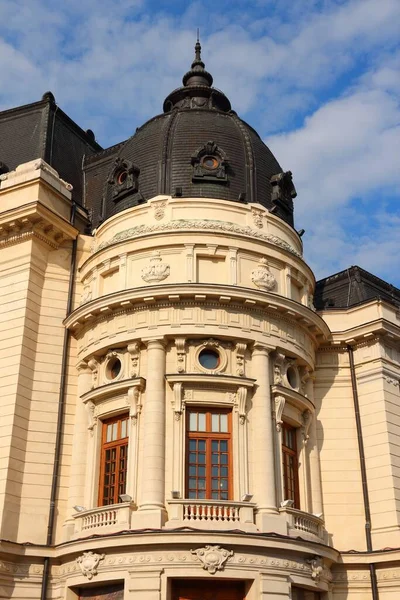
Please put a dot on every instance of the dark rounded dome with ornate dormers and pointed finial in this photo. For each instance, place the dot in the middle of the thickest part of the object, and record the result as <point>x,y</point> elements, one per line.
<point>198,147</point>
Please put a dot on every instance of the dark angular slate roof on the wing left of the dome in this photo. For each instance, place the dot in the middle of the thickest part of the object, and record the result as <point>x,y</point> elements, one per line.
<point>43,130</point>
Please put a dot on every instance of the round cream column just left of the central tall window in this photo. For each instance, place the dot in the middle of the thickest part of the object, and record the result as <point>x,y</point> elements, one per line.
<point>153,479</point>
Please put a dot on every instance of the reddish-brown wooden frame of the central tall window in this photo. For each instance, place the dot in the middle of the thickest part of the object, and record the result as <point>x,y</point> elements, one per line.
<point>209,436</point>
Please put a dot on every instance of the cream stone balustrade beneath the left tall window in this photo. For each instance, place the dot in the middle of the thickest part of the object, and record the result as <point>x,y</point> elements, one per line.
<point>103,519</point>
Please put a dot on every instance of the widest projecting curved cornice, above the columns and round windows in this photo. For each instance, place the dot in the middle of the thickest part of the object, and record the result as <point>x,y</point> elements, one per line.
<point>243,298</point>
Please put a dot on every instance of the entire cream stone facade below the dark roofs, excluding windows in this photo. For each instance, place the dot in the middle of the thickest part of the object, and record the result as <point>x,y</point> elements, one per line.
<point>153,288</point>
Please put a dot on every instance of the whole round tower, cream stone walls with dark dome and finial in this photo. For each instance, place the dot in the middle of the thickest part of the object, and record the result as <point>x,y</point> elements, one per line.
<point>195,458</point>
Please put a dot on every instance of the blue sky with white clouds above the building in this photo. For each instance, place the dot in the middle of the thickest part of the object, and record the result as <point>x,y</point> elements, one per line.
<point>318,79</point>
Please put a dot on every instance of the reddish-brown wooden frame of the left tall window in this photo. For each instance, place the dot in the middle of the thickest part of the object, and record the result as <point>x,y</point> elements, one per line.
<point>121,445</point>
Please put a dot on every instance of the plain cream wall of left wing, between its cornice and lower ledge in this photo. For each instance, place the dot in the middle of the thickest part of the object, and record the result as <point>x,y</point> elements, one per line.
<point>38,280</point>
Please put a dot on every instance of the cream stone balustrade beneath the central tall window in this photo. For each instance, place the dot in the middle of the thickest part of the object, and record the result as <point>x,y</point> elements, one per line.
<point>211,514</point>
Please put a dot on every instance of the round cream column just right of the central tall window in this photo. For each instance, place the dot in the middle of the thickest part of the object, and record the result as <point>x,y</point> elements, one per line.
<point>263,438</point>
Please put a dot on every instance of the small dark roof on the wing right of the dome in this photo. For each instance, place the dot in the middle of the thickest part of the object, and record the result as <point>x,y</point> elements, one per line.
<point>351,287</point>
